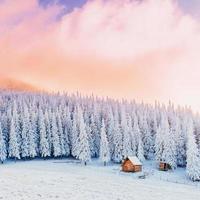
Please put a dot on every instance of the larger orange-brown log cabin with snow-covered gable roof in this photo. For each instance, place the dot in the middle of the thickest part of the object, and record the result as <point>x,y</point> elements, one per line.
<point>131,164</point>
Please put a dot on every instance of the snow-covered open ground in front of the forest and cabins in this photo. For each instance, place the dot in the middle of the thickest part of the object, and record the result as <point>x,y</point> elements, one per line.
<point>67,179</point>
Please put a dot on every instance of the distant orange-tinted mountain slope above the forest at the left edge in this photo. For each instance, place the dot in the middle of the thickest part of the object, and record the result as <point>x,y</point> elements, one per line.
<point>12,84</point>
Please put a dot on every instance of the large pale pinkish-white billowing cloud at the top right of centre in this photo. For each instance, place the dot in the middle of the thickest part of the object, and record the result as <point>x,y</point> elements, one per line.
<point>125,29</point>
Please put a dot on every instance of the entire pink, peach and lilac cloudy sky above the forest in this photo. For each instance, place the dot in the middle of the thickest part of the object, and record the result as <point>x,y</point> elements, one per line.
<point>132,49</point>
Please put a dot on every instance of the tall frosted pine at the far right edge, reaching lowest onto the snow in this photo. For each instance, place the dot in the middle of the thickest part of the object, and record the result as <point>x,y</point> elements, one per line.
<point>193,159</point>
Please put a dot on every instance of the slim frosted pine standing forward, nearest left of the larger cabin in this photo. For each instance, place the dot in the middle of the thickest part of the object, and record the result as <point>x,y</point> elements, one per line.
<point>104,146</point>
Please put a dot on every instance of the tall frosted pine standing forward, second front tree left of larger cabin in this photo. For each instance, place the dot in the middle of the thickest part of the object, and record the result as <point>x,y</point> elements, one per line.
<point>83,149</point>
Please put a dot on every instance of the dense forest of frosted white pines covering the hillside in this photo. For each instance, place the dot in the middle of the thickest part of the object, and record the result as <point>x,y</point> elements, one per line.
<point>34,125</point>
